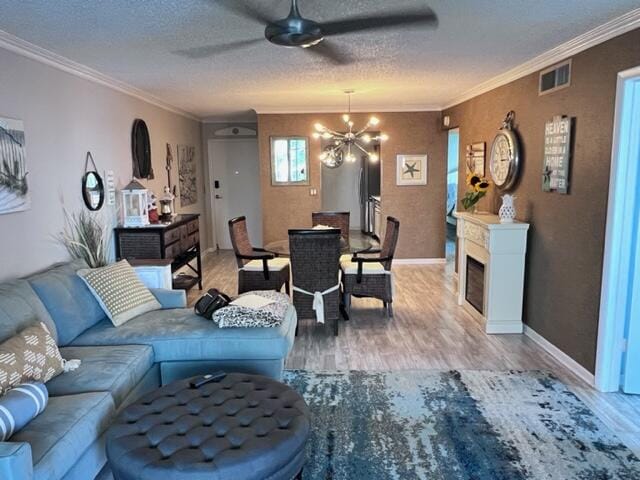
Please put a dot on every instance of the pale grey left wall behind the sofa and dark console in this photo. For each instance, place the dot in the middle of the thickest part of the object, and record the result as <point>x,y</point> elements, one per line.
<point>64,116</point>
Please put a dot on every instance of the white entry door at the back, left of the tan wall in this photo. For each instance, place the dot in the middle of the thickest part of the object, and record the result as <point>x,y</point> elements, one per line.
<point>235,177</point>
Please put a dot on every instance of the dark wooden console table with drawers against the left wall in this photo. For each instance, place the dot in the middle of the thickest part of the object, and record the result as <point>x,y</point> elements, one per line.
<point>178,240</point>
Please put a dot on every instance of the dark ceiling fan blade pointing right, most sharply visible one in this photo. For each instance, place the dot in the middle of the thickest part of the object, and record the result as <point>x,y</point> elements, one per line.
<point>421,16</point>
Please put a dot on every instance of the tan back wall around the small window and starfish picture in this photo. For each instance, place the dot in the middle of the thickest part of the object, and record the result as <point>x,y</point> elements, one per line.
<point>420,209</point>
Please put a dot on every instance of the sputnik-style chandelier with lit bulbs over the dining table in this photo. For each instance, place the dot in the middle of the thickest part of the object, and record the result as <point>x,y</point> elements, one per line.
<point>342,146</point>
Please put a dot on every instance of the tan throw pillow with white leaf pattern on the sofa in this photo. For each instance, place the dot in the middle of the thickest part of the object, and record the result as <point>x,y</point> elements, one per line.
<point>31,355</point>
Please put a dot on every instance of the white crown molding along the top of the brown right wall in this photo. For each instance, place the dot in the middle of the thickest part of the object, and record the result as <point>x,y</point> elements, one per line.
<point>613,28</point>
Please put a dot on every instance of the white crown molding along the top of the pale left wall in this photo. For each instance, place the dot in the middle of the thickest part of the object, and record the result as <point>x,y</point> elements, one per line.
<point>29,50</point>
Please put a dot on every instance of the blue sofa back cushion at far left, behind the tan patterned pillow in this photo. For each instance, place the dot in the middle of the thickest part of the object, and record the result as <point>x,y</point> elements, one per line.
<point>20,308</point>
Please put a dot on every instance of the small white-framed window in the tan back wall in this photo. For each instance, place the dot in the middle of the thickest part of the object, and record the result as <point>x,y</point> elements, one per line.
<point>289,161</point>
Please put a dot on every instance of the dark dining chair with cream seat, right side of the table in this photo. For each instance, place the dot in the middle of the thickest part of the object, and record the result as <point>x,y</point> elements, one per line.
<point>371,276</point>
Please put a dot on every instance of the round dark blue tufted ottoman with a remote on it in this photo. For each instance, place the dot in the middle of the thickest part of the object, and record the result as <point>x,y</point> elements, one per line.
<point>242,427</point>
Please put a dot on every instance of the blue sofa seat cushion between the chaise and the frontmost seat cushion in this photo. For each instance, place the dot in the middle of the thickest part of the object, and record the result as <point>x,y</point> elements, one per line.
<point>114,369</point>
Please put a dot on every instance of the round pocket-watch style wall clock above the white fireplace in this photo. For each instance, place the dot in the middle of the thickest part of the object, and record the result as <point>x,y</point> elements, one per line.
<point>504,160</point>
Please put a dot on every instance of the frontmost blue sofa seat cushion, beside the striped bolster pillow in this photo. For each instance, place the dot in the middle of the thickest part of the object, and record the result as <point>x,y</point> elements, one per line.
<point>61,434</point>
